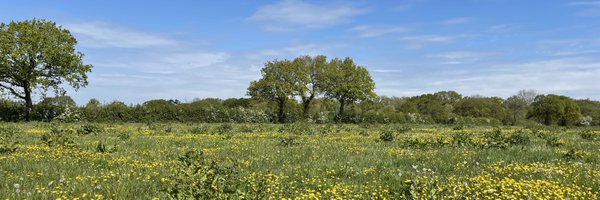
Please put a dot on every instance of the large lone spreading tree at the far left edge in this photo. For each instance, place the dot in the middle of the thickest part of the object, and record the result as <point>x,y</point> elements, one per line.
<point>38,54</point>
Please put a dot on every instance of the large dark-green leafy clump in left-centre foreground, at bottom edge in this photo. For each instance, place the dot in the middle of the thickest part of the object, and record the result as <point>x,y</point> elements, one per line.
<point>198,177</point>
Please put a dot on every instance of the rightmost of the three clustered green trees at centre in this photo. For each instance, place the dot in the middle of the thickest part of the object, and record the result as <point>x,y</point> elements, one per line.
<point>347,83</point>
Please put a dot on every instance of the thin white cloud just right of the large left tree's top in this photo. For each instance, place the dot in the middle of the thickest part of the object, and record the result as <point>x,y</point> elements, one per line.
<point>104,35</point>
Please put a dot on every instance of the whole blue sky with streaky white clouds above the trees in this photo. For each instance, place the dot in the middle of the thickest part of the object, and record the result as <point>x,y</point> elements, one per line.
<point>144,50</point>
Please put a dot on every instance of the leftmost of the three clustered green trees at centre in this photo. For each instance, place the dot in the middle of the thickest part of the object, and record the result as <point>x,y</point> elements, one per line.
<point>278,84</point>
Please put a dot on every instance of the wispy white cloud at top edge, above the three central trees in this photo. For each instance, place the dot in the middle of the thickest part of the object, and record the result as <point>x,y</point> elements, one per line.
<point>292,14</point>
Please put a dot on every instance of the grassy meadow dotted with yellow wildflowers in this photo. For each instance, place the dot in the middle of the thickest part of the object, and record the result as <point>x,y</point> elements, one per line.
<point>298,161</point>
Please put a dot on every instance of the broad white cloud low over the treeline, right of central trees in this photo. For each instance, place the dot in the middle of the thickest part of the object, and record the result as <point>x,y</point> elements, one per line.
<point>574,76</point>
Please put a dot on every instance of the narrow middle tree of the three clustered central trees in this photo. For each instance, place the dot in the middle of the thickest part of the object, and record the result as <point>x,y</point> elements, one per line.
<point>310,77</point>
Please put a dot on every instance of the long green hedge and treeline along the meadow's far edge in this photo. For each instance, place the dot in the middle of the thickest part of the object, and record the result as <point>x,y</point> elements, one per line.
<point>446,107</point>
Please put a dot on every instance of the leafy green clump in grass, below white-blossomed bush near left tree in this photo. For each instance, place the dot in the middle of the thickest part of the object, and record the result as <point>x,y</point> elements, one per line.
<point>59,137</point>
